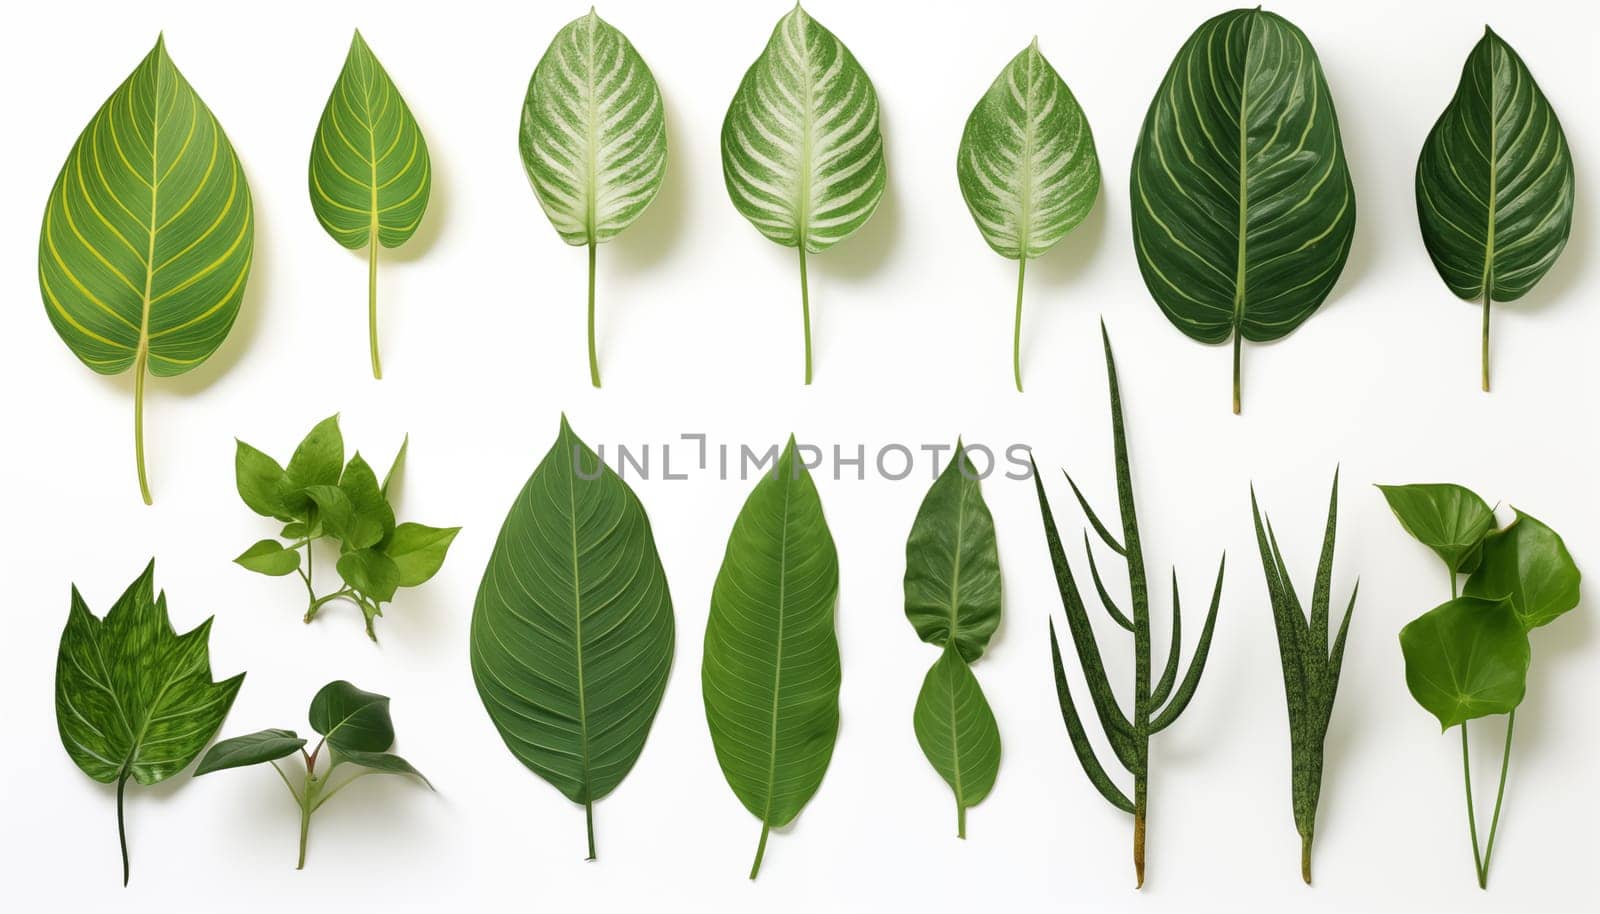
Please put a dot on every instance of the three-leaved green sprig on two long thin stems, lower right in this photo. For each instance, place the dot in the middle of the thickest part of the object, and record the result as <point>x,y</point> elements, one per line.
<point>1470,657</point>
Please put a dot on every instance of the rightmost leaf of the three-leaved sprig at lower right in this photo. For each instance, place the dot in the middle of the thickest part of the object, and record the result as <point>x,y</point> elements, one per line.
<point>1527,564</point>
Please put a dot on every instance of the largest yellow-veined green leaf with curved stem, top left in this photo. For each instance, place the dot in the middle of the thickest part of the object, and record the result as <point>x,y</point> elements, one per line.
<point>148,236</point>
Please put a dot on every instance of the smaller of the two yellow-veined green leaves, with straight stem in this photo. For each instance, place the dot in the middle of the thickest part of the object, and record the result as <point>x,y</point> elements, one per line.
<point>370,175</point>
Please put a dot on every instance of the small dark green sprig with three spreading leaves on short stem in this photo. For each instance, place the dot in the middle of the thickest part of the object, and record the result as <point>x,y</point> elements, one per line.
<point>356,732</point>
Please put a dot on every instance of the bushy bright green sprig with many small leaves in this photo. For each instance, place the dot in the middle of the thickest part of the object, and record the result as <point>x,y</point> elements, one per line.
<point>322,497</point>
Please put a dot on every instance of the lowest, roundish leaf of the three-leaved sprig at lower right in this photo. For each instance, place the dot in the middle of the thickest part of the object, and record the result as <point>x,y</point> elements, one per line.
<point>1466,659</point>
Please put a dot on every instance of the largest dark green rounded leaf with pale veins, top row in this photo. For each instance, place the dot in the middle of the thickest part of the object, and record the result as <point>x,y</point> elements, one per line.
<point>1242,204</point>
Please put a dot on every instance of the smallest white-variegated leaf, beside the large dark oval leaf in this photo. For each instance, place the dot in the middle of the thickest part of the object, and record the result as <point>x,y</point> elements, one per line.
<point>1028,169</point>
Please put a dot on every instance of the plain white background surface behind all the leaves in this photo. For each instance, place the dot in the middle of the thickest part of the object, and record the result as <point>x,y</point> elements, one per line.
<point>482,332</point>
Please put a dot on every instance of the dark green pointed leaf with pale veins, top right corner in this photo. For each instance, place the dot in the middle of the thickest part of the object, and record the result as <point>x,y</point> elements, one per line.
<point>1495,183</point>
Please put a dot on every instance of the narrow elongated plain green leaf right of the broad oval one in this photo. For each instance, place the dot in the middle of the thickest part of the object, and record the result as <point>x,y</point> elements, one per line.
<point>770,673</point>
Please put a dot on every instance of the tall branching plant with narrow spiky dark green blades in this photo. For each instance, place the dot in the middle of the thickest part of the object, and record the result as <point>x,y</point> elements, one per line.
<point>1154,710</point>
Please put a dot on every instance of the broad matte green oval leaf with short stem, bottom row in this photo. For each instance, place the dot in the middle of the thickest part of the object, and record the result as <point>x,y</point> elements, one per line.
<point>572,633</point>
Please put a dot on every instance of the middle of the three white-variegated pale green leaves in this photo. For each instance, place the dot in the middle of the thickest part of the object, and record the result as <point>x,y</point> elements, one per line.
<point>801,146</point>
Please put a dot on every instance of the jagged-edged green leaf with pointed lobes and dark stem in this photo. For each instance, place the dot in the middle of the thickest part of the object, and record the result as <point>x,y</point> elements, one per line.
<point>134,699</point>
